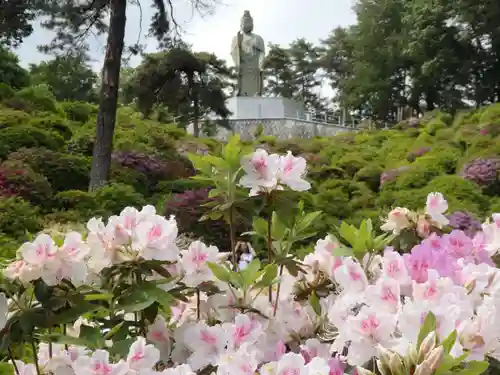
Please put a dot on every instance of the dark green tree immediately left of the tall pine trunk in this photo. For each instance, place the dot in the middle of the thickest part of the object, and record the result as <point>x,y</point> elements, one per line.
<point>69,76</point>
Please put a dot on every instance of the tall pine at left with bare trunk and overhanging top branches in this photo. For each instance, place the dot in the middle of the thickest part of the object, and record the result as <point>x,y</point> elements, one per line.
<point>72,20</point>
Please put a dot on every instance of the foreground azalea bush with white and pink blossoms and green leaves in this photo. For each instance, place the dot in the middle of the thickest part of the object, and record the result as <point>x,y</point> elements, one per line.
<point>127,298</point>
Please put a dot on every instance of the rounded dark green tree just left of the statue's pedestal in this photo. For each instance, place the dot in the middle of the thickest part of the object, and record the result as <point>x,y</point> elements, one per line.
<point>189,84</point>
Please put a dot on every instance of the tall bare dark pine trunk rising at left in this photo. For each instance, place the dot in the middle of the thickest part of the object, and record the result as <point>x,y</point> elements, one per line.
<point>105,128</point>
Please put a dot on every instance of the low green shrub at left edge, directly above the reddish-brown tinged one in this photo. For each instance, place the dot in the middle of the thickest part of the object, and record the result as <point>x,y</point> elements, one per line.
<point>14,138</point>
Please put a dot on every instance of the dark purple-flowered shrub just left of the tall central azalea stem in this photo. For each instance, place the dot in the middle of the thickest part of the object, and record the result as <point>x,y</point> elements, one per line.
<point>188,208</point>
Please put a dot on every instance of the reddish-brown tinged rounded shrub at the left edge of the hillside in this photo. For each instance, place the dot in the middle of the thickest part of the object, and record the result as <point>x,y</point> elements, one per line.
<point>20,180</point>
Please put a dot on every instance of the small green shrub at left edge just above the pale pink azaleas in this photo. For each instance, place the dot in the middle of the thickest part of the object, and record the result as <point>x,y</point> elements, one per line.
<point>18,217</point>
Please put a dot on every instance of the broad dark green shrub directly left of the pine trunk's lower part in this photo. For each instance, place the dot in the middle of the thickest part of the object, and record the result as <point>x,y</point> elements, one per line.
<point>64,172</point>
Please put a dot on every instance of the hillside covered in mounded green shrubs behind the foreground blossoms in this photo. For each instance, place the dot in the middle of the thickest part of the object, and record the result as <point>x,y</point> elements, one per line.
<point>45,150</point>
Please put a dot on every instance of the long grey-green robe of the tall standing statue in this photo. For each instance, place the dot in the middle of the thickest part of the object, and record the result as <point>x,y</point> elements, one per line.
<point>247,51</point>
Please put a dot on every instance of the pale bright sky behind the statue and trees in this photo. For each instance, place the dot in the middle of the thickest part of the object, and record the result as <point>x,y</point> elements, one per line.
<point>277,21</point>
